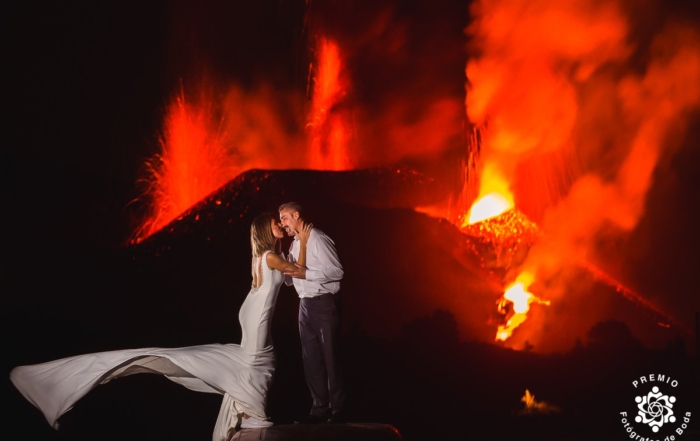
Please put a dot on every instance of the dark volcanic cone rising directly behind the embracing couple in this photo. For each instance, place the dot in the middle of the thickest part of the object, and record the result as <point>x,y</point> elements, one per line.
<point>398,263</point>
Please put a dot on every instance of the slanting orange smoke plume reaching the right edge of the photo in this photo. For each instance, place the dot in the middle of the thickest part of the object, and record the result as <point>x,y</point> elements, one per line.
<point>655,107</point>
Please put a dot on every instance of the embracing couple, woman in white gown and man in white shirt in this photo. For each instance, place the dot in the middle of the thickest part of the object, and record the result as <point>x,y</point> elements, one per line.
<point>242,373</point>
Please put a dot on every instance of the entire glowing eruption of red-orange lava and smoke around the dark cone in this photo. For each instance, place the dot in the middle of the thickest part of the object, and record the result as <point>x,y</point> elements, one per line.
<point>533,199</point>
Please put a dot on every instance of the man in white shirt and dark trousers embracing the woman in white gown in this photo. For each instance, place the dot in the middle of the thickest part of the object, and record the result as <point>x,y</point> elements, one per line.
<point>317,284</point>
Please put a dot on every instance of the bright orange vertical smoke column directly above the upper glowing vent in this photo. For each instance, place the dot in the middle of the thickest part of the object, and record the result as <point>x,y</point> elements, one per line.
<point>529,60</point>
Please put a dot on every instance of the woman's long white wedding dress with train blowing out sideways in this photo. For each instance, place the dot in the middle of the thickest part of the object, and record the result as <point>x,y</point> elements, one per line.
<point>241,373</point>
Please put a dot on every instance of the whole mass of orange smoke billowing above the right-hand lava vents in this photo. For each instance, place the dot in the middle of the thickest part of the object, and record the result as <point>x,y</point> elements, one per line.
<point>558,91</point>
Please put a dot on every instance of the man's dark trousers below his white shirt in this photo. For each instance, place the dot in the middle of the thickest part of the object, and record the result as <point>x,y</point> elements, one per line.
<point>319,331</point>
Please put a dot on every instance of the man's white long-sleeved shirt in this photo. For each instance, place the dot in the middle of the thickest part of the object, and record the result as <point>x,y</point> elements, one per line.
<point>324,270</point>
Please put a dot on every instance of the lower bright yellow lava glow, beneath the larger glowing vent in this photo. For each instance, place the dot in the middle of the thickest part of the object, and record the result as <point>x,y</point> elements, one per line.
<point>515,304</point>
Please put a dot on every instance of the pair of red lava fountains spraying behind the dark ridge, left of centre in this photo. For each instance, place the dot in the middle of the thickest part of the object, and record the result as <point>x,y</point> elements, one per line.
<point>209,139</point>
